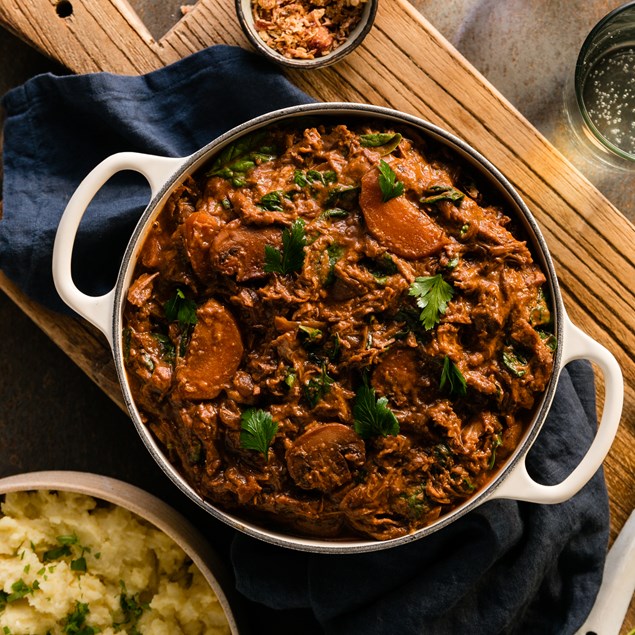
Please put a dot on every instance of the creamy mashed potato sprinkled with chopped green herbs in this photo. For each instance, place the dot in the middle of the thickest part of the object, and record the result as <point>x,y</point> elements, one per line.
<point>71,564</point>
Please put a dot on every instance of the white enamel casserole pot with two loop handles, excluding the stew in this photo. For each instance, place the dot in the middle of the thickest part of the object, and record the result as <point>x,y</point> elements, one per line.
<point>164,174</point>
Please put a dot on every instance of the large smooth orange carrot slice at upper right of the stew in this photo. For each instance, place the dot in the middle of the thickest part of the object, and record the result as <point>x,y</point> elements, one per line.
<point>398,224</point>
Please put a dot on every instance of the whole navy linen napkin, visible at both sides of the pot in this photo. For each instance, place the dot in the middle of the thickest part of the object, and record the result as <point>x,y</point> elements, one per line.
<point>506,567</point>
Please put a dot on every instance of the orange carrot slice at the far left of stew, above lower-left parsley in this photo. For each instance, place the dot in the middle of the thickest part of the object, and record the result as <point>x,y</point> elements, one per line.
<point>213,355</point>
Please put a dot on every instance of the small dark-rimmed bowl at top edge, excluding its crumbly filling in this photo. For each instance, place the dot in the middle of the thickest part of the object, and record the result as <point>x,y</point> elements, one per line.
<point>355,38</point>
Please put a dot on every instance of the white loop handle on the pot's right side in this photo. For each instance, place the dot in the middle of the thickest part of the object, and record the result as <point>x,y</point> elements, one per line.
<point>518,485</point>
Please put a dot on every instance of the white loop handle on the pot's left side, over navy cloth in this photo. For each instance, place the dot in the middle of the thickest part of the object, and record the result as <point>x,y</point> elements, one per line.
<point>98,310</point>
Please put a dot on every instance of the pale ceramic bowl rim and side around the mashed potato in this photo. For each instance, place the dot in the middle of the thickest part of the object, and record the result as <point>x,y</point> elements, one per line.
<point>150,509</point>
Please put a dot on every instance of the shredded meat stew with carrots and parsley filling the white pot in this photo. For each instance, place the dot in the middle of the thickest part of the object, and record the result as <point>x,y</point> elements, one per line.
<point>337,330</point>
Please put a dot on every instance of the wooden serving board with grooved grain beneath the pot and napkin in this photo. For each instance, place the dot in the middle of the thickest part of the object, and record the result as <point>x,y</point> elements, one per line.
<point>406,64</point>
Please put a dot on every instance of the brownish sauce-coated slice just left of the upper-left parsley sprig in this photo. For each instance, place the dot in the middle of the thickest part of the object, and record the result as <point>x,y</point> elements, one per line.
<point>239,250</point>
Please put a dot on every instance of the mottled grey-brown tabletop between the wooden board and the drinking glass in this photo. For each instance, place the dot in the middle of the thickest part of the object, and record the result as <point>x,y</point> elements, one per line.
<point>527,49</point>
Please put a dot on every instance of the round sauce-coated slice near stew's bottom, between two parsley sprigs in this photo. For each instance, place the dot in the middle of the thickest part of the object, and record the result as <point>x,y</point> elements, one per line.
<point>321,457</point>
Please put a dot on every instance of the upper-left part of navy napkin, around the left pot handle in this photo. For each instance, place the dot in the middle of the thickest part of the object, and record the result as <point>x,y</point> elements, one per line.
<point>59,128</point>
